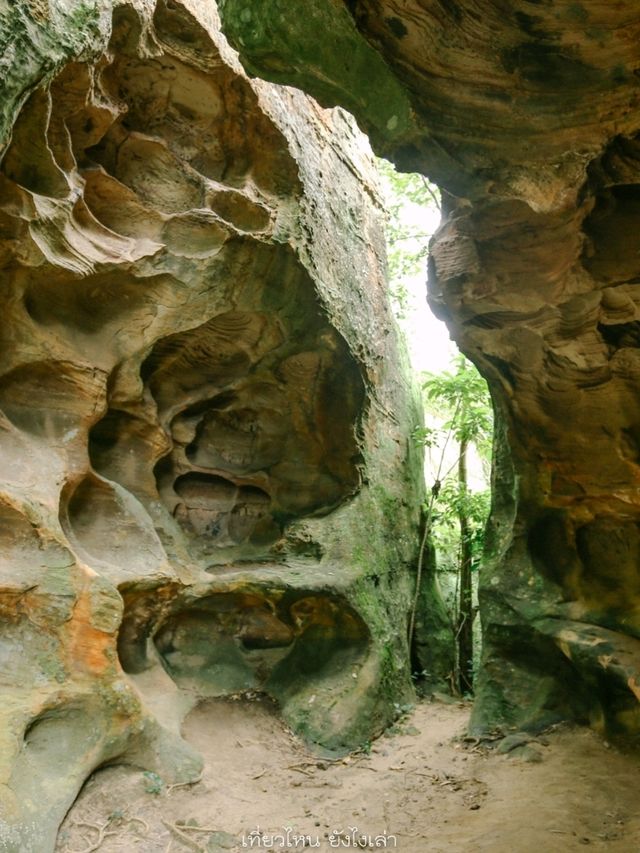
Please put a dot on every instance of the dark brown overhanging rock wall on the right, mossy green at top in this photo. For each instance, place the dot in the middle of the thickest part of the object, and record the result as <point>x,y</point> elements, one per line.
<point>526,114</point>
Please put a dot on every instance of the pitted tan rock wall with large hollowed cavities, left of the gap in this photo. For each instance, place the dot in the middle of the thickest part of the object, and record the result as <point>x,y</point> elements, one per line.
<point>207,482</point>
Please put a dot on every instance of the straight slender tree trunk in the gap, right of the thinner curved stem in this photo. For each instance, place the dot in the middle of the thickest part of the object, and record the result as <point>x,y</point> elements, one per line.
<point>465,609</point>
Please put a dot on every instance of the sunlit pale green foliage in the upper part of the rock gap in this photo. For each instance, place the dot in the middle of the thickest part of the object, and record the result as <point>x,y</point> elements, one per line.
<point>409,199</point>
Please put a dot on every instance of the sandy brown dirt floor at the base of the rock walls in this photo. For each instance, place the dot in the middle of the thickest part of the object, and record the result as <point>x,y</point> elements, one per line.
<point>422,787</point>
